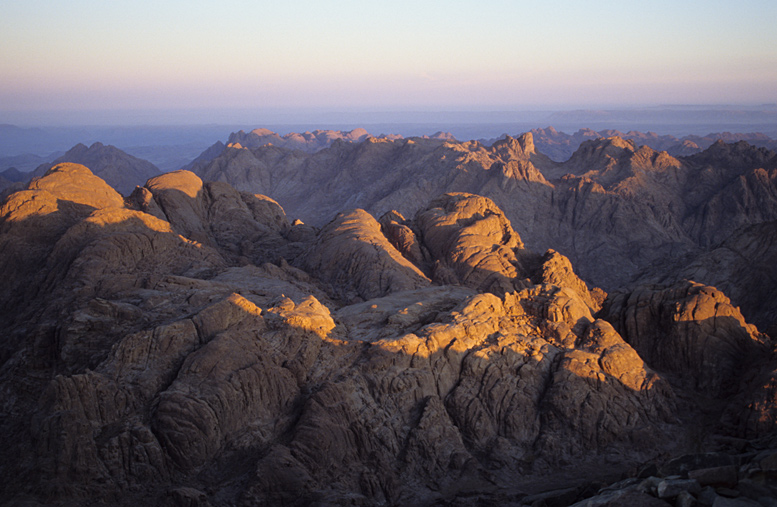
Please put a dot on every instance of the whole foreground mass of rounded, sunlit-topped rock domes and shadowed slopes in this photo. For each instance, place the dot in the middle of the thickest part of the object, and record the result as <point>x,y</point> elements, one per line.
<point>188,345</point>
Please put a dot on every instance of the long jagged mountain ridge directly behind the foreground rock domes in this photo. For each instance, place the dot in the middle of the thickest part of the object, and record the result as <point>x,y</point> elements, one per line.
<point>611,200</point>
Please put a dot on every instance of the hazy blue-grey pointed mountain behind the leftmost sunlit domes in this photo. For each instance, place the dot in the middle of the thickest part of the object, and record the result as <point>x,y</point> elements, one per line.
<point>119,169</point>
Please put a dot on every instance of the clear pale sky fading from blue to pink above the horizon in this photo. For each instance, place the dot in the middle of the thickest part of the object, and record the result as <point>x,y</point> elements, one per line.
<point>84,55</point>
